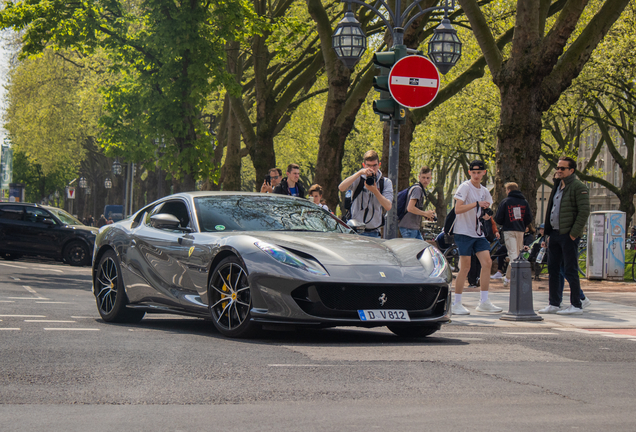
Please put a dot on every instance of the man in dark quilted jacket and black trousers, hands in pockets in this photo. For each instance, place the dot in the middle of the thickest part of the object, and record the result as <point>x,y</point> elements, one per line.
<point>565,219</point>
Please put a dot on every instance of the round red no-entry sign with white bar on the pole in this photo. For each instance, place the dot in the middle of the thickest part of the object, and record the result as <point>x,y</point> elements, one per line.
<point>414,81</point>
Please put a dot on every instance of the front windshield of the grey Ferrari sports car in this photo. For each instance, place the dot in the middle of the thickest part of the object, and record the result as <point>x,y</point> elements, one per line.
<point>264,213</point>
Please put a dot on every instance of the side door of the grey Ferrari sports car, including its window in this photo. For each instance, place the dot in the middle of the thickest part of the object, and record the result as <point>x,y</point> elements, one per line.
<point>163,257</point>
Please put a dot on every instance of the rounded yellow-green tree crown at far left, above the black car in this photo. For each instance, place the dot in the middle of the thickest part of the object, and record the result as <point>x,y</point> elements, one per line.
<point>53,111</point>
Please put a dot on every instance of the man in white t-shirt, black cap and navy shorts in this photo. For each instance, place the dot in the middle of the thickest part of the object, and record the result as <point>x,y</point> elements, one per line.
<point>471,201</point>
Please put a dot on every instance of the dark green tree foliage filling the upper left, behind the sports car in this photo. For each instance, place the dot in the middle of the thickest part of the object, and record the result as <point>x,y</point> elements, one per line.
<point>168,56</point>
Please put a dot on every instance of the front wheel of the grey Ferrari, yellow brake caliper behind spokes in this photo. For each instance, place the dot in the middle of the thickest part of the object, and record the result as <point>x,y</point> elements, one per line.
<point>230,303</point>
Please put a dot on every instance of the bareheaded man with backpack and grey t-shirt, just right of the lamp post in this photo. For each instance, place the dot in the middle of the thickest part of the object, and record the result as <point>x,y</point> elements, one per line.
<point>410,206</point>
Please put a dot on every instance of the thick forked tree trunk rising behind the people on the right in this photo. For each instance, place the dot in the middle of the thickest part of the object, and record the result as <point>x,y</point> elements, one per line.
<point>553,40</point>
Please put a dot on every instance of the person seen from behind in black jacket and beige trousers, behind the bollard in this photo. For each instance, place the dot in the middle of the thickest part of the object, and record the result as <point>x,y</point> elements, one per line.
<point>514,215</point>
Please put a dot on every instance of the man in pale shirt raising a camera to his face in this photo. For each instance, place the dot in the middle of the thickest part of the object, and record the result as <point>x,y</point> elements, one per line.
<point>372,194</point>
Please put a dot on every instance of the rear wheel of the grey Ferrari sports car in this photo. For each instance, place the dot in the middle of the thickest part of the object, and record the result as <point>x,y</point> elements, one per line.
<point>110,294</point>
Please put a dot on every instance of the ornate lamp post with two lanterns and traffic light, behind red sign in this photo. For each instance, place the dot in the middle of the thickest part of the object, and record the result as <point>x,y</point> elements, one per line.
<point>349,42</point>
